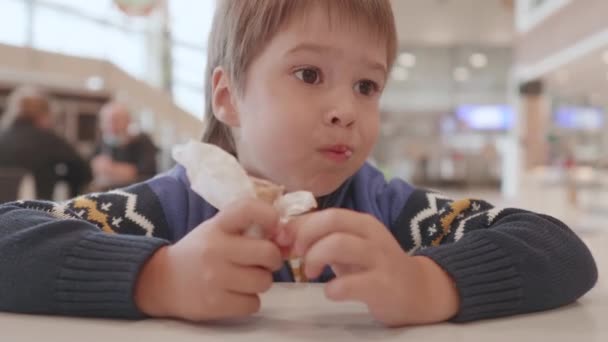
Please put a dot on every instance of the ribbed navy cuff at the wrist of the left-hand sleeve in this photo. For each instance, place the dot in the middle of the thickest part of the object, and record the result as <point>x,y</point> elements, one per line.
<point>99,274</point>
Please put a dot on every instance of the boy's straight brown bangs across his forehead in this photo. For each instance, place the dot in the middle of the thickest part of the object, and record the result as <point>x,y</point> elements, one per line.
<point>251,24</point>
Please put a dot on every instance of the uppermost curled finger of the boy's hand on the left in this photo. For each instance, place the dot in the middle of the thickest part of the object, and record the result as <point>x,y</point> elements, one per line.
<point>242,215</point>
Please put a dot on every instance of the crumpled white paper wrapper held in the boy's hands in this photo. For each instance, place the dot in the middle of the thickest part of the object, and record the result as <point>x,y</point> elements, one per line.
<point>218,177</point>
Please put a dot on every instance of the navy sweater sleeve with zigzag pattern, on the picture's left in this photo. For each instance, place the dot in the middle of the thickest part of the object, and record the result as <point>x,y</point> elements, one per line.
<point>81,257</point>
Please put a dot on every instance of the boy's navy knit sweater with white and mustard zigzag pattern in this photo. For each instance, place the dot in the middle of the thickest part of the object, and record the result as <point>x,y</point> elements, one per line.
<point>83,257</point>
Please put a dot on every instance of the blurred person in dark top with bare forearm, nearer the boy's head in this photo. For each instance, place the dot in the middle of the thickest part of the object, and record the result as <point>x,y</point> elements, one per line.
<point>121,157</point>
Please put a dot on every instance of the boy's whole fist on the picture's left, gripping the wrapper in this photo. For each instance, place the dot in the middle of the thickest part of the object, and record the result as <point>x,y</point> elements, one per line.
<point>214,272</point>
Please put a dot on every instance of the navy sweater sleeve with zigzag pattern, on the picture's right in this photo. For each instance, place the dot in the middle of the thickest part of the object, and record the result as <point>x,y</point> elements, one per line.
<point>503,261</point>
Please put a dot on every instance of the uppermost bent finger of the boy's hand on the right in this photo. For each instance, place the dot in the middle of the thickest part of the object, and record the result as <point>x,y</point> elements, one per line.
<point>310,228</point>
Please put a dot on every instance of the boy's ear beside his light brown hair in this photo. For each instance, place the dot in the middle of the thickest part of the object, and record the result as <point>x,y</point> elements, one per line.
<point>222,98</point>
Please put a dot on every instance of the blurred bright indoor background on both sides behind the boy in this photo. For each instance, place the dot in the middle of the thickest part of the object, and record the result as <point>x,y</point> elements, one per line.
<point>500,99</point>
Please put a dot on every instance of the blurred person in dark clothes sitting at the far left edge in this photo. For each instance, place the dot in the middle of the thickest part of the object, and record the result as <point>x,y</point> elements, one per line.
<point>28,142</point>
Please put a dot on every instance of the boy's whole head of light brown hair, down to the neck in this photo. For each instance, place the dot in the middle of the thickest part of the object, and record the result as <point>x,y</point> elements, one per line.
<point>242,28</point>
